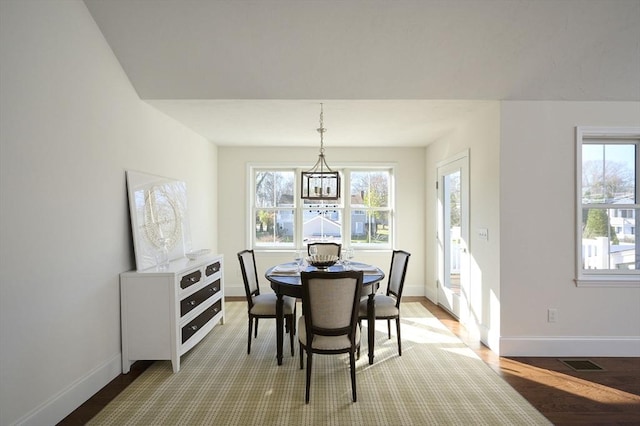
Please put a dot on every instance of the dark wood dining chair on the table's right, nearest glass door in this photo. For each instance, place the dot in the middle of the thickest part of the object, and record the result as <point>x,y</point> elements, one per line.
<point>388,304</point>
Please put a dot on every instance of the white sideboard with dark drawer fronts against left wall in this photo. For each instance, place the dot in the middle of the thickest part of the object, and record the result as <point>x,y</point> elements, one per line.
<point>166,312</point>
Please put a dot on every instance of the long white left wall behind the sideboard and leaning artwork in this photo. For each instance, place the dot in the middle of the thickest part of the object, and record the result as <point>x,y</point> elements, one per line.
<point>70,125</point>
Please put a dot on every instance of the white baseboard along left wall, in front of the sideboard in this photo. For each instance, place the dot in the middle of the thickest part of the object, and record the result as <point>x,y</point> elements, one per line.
<point>66,401</point>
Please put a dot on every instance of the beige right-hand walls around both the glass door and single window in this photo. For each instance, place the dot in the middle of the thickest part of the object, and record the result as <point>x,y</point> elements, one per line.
<point>522,172</point>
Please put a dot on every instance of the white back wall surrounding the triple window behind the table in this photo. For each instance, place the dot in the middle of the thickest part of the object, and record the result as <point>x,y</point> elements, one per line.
<point>410,218</point>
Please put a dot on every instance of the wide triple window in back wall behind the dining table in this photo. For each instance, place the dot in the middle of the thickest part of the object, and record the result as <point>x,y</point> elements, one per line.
<point>361,218</point>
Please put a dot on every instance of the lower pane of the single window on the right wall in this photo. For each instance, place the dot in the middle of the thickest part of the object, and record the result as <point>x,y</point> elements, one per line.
<point>608,239</point>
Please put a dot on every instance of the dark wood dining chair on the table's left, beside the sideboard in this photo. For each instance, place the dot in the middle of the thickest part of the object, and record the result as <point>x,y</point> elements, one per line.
<point>263,305</point>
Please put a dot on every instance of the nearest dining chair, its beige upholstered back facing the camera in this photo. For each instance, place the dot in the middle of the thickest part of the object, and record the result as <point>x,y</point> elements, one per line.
<point>329,321</point>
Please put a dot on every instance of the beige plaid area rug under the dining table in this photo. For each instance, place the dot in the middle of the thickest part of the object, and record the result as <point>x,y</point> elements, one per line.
<point>438,380</point>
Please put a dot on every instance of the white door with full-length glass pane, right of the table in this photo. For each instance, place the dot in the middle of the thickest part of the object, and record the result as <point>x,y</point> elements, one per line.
<point>453,235</point>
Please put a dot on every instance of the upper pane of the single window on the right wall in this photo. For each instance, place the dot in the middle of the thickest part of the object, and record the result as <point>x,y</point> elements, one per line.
<point>608,173</point>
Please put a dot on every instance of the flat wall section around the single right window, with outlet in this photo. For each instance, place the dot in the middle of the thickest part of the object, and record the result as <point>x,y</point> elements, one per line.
<point>537,217</point>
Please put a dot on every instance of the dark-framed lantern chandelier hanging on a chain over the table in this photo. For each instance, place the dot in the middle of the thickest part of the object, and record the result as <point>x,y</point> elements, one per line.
<point>320,182</point>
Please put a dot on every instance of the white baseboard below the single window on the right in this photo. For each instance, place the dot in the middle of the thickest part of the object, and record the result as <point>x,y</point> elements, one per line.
<point>614,346</point>
